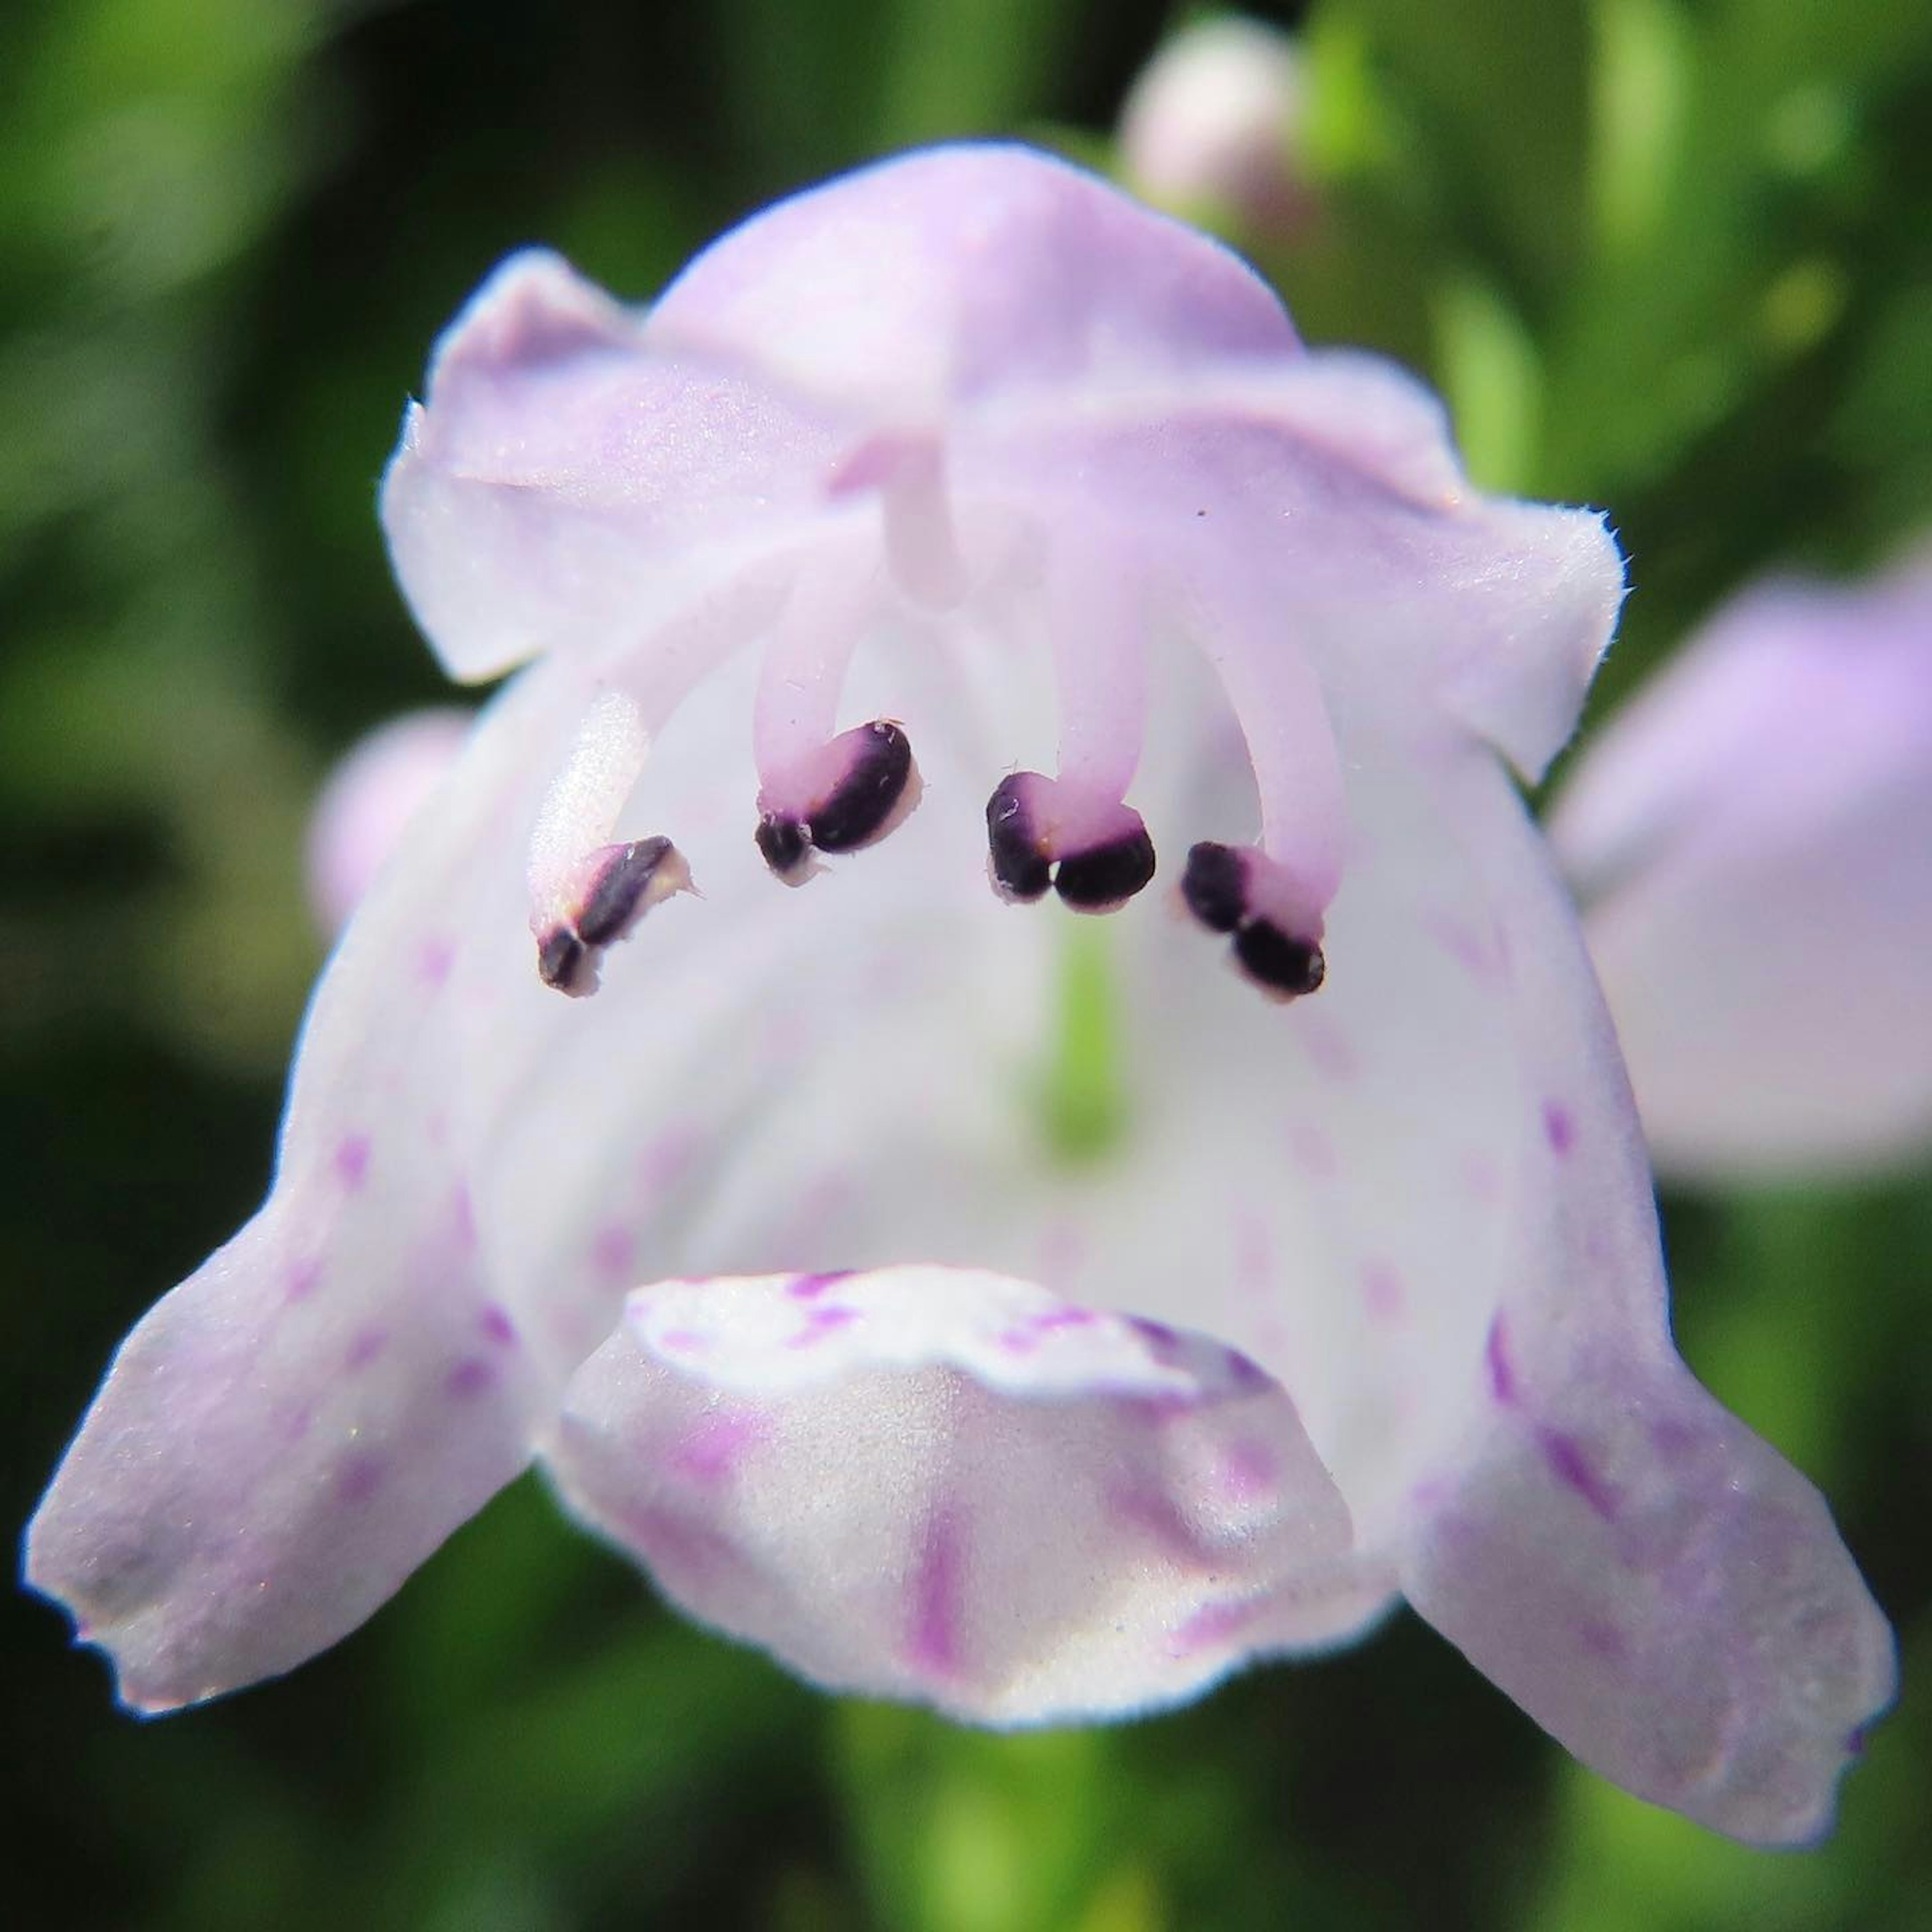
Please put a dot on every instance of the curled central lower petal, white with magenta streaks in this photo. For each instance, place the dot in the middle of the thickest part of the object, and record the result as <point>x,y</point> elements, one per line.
<point>955,1487</point>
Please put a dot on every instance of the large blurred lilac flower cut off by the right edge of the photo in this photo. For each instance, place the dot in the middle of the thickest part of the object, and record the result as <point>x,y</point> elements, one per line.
<point>1753,839</point>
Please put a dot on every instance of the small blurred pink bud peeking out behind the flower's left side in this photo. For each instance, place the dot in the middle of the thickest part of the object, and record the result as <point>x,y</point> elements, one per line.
<point>368,803</point>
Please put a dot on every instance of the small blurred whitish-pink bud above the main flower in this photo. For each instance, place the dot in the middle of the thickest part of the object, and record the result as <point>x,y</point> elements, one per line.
<point>1216,125</point>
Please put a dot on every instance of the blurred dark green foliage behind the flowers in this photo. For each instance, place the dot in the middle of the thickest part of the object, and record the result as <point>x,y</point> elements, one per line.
<point>1666,256</point>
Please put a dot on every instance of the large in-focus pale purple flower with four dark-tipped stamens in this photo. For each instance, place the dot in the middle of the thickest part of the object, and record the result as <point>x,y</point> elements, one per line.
<point>967,472</point>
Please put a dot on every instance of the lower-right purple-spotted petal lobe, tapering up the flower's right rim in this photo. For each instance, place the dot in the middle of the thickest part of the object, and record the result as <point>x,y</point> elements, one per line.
<point>1634,1566</point>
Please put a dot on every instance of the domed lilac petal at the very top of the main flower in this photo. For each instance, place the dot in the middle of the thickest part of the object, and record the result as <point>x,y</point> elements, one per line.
<point>961,271</point>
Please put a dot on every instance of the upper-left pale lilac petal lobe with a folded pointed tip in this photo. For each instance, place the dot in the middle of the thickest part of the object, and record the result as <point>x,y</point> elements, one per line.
<point>563,488</point>
